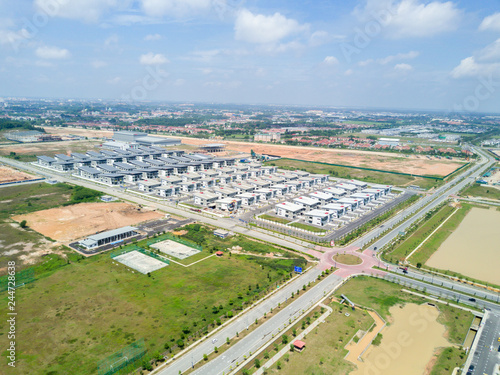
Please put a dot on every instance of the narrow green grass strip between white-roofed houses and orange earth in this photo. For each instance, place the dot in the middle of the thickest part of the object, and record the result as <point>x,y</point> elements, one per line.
<point>367,176</point>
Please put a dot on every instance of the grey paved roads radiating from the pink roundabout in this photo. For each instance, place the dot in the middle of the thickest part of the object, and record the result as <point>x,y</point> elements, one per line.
<point>264,331</point>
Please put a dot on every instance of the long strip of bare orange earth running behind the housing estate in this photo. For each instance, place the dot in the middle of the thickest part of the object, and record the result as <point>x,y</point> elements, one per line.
<point>378,160</point>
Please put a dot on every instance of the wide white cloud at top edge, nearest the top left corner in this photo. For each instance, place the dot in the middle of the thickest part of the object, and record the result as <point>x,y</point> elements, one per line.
<point>86,10</point>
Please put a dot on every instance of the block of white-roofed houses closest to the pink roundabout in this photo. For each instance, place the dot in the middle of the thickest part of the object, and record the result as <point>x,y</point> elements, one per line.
<point>323,206</point>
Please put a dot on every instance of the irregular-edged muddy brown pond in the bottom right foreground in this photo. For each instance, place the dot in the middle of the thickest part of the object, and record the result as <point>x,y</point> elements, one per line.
<point>408,344</point>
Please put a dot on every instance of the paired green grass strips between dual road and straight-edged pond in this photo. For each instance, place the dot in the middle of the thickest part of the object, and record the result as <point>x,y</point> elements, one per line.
<point>432,244</point>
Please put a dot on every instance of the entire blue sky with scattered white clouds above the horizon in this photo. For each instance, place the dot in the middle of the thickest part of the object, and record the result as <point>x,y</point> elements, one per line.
<point>368,53</point>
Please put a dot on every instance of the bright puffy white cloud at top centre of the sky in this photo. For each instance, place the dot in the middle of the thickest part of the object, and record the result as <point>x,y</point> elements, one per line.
<point>261,29</point>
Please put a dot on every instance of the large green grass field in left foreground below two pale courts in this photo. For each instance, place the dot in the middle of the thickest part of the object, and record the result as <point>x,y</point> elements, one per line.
<point>78,314</point>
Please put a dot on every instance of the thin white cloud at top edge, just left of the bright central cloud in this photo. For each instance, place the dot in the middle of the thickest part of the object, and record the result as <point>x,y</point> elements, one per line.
<point>176,8</point>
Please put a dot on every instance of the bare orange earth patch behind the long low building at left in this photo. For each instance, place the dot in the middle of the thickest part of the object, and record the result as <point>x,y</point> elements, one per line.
<point>77,221</point>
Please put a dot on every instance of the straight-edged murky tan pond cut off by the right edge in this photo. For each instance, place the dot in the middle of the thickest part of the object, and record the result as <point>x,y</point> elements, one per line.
<point>472,249</point>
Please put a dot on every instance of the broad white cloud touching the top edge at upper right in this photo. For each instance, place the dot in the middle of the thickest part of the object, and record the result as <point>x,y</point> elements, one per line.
<point>409,18</point>
